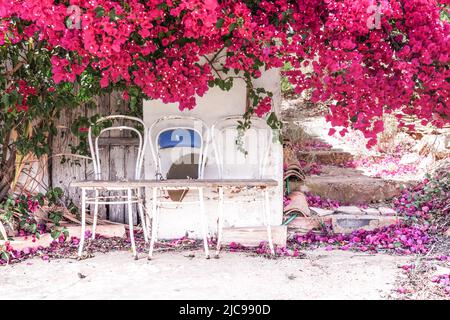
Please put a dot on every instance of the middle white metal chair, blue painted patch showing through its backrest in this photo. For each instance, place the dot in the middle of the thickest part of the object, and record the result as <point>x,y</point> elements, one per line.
<point>175,135</point>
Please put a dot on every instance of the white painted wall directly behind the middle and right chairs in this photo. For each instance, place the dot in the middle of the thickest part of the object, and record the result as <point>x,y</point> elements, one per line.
<point>177,221</point>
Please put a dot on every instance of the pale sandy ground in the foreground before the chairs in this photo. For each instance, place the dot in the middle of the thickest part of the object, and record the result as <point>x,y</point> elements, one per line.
<point>321,275</point>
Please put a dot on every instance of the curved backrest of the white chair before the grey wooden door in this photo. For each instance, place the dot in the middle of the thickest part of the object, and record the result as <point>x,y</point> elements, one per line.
<point>113,125</point>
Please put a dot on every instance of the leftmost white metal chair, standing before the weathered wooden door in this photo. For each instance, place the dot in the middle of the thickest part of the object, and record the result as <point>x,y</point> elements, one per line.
<point>129,199</point>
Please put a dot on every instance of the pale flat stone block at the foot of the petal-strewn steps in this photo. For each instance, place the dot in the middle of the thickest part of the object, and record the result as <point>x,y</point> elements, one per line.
<point>350,223</point>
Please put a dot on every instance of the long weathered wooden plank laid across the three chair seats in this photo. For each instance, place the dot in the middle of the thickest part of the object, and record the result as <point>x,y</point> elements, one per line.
<point>176,183</point>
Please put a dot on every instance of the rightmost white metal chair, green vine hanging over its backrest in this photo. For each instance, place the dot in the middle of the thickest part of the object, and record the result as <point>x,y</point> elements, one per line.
<point>247,162</point>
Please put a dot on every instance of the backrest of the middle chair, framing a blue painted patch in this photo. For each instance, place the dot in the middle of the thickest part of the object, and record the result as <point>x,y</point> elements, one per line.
<point>179,138</point>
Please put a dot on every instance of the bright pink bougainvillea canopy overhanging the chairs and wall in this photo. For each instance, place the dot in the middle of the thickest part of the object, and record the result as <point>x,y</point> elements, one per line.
<point>365,58</point>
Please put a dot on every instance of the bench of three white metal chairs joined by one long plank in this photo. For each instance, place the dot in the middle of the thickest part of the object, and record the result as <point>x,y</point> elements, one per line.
<point>171,138</point>
